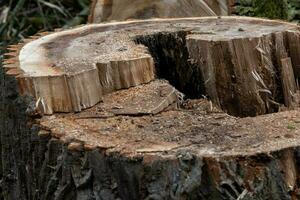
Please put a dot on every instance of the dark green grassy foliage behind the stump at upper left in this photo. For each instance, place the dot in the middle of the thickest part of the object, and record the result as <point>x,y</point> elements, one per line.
<point>22,18</point>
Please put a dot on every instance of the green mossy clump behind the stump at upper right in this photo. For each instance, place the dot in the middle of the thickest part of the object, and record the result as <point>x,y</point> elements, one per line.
<point>273,9</point>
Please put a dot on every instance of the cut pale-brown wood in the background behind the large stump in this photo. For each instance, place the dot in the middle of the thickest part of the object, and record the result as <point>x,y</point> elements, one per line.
<point>120,10</point>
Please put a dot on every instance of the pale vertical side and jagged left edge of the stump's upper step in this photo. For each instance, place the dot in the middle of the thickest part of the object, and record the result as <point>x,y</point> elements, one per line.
<point>71,93</point>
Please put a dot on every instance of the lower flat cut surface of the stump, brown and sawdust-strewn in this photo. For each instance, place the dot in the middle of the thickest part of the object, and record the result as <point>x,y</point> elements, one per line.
<point>197,126</point>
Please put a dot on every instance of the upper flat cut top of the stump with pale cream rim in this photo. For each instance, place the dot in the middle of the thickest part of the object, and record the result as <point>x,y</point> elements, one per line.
<point>77,50</point>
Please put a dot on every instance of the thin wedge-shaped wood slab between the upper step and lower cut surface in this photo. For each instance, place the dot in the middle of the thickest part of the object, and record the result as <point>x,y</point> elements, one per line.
<point>144,99</point>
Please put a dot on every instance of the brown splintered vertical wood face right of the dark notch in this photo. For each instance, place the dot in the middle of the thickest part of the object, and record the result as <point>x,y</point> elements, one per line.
<point>227,65</point>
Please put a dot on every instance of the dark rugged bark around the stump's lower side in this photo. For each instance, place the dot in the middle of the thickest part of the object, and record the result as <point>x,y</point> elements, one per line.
<point>41,167</point>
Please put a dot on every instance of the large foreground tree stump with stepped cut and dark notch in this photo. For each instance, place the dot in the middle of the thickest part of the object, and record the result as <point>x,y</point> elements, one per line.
<point>127,134</point>
